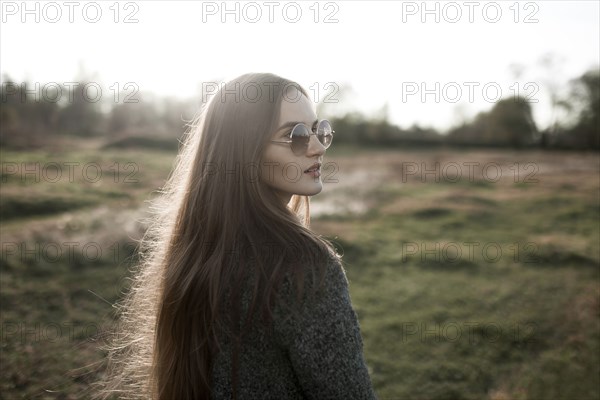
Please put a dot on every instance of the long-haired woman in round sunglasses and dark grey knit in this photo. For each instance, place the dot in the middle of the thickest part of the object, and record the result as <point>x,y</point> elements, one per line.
<point>236,297</point>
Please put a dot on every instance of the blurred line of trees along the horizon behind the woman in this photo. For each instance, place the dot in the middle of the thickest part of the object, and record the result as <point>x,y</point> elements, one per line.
<point>32,115</point>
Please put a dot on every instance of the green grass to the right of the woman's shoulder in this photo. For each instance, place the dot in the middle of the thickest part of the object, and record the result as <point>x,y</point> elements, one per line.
<point>522,324</point>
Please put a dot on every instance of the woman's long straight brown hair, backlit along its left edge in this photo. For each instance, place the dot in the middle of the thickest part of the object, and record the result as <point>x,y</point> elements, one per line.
<point>213,221</point>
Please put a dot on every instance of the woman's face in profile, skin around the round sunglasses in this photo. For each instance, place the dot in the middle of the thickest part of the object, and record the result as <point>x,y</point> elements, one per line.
<point>280,168</point>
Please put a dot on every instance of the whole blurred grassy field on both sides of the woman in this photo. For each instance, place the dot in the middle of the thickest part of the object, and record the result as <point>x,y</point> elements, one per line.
<point>474,273</point>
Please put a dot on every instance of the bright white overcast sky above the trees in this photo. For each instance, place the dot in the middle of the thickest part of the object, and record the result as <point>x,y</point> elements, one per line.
<point>433,63</point>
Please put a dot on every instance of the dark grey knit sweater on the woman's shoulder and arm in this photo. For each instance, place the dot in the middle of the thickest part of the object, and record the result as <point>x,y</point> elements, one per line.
<point>315,354</point>
